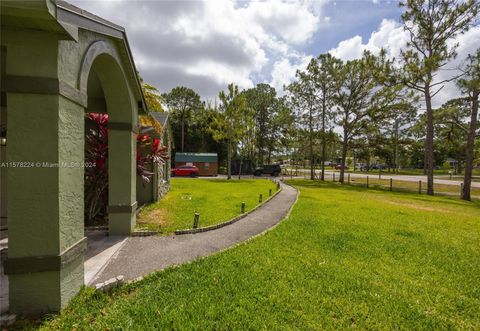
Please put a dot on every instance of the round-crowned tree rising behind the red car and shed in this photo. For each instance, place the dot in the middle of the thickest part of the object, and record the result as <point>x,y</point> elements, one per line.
<point>182,101</point>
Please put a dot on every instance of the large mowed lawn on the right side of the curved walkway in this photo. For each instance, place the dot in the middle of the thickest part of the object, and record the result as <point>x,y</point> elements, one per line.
<point>346,257</point>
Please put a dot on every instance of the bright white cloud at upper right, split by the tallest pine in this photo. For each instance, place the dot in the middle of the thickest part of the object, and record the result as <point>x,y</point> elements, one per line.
<point>393,38</point>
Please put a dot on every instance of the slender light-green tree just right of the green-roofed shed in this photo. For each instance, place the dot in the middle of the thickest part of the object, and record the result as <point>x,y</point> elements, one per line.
<point>226,124</point>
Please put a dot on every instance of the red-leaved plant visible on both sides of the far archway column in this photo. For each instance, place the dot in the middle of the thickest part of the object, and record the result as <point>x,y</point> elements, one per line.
<point>96,160</point>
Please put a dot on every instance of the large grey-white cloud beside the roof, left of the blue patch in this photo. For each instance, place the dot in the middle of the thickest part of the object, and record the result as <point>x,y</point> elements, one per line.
<point>208,44</point>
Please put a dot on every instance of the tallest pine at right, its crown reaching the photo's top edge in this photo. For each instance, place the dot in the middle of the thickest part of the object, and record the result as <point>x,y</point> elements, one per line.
<point>431,24</point>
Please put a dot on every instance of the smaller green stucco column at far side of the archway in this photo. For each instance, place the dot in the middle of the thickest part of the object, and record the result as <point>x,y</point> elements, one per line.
<point>121,178</point>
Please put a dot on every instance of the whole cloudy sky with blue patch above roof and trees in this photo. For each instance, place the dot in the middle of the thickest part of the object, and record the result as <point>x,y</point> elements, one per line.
<point>206,45</point>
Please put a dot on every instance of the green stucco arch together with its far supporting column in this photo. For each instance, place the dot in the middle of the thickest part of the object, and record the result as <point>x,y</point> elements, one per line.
<point>105,85</point>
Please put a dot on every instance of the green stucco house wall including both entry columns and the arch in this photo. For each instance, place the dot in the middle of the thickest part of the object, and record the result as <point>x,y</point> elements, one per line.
<point>46,127</point>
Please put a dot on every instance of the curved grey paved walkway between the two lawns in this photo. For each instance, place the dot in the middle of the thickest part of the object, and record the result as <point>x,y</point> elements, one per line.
<point>142,255</point>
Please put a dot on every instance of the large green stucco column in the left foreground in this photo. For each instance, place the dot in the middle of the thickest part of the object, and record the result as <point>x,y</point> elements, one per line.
<point>45,134</point>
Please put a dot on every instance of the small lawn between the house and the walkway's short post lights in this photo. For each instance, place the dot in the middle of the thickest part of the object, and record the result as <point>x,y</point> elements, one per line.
<point>216,200</point>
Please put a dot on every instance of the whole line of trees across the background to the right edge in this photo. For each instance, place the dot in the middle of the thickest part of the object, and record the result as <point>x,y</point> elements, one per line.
<point>373,106</point>
